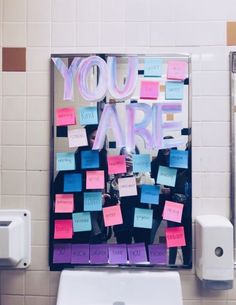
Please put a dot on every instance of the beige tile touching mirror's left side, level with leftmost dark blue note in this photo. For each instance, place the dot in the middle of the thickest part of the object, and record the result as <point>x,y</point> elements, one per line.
<point>37,183</point>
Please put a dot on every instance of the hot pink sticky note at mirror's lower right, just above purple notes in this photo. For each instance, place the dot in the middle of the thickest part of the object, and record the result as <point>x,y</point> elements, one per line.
<point>175,237</point>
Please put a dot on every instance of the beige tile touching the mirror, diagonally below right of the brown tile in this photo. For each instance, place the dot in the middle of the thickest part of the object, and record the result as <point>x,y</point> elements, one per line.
<point>38,83</point>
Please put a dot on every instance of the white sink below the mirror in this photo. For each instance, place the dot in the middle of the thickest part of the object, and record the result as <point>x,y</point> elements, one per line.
<point>119,287</point>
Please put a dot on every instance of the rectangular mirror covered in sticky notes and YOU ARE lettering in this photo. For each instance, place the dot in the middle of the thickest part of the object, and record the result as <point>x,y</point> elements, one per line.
<point>121,161</point>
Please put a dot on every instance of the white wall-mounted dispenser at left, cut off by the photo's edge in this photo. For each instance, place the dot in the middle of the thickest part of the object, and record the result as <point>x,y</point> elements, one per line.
<point>15,239</point>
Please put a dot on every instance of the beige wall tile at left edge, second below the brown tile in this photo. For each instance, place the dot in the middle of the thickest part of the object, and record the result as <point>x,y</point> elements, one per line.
<point>14,108</point>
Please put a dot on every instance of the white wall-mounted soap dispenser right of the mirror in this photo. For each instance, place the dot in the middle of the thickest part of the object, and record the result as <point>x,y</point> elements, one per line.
<point>214,251</point>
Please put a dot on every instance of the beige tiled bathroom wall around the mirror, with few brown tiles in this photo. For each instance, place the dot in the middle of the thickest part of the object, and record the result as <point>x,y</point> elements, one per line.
<point>35,29</point>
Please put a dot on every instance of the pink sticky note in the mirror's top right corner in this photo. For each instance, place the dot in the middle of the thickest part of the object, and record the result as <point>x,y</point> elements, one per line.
<point>177,70</point>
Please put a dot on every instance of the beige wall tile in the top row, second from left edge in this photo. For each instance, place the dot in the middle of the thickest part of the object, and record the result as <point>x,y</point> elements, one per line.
<point>39,11</point>
